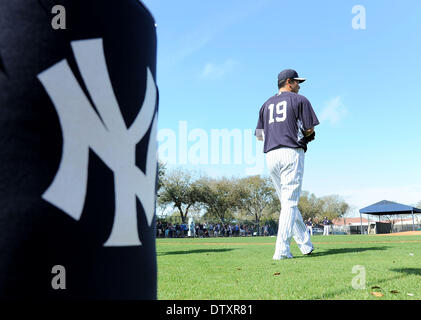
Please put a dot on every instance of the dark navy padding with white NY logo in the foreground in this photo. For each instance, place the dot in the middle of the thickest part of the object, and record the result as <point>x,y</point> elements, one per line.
<point>77,186</point>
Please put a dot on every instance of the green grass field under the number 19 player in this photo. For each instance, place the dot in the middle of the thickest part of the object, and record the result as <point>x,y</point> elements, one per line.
<point>243,269</point>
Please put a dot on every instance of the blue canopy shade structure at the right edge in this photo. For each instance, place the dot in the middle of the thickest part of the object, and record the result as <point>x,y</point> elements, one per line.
<point>389,208</point>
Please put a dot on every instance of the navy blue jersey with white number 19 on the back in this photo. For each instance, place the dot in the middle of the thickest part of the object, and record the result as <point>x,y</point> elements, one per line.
<point>283,118</point>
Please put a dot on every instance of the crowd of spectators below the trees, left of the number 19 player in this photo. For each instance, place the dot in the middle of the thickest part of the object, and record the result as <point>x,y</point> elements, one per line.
<point>203,230</point>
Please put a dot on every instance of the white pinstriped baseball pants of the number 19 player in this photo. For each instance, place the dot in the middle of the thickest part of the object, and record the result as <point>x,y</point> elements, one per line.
<point>286,167</point>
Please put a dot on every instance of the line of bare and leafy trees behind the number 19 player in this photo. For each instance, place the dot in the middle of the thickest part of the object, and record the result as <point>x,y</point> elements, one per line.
<point>223,200</point>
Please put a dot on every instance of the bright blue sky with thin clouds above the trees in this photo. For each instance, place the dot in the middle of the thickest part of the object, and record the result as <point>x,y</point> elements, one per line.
<point>218,62</point>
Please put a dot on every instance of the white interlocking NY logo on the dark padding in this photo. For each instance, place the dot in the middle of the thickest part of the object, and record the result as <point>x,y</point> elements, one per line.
<point>106,135</point>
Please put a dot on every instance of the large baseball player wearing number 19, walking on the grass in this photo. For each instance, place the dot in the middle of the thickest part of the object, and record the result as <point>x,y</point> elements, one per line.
<point>286,124</point>
